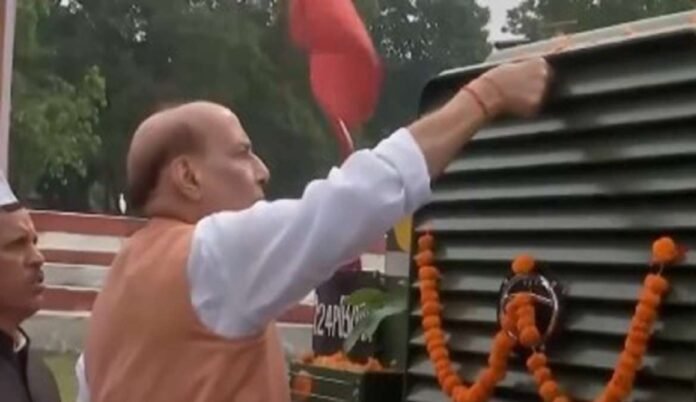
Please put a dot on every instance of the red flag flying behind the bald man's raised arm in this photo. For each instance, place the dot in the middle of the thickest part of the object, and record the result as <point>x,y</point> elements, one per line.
<point>345,70</point>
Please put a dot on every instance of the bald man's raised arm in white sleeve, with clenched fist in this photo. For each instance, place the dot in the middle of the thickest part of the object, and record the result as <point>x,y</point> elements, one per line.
<point>247,267</point>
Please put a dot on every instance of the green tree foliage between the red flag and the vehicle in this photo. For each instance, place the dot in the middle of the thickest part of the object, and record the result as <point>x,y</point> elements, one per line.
<point>419,39</point>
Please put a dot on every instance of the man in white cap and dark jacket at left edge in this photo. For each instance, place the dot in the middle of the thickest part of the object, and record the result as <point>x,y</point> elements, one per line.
<point>24,376</point>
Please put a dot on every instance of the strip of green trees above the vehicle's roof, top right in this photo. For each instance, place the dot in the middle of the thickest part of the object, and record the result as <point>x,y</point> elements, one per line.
<point>539,19</point>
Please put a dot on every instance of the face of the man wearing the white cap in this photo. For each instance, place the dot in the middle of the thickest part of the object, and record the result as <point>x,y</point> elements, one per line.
<point>21,277</point>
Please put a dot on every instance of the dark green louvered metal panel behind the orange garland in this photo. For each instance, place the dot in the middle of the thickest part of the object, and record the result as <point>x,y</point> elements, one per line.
<point>586,187</point>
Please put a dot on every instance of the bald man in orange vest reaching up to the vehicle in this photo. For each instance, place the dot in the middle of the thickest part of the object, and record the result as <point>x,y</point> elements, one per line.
<point>187,311</point>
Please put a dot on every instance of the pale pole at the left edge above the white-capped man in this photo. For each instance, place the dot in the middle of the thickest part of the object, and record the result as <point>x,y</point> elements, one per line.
<point>7,19</point>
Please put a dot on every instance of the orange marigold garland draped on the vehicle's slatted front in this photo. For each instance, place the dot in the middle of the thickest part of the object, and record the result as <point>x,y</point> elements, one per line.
<point>518,326</point>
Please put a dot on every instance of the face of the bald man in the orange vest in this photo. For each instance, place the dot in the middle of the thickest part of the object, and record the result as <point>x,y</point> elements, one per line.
<point>233,177</point>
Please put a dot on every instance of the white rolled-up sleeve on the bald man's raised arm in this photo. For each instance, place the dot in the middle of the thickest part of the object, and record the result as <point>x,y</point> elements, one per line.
<point>247,267</point>
